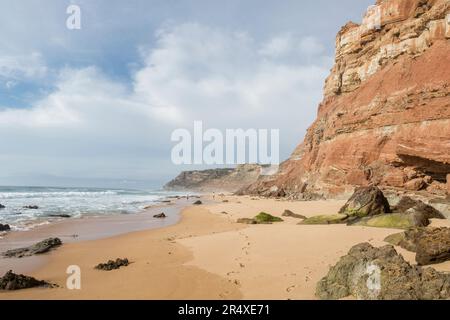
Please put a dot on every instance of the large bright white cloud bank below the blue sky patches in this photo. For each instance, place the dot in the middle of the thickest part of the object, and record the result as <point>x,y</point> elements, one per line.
<point>194,72</point>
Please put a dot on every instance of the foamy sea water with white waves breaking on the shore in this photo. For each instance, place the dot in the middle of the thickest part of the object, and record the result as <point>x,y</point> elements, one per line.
<point>75,202</point>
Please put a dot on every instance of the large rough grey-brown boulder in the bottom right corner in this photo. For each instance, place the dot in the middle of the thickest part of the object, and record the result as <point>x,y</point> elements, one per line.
<point>371,273</point>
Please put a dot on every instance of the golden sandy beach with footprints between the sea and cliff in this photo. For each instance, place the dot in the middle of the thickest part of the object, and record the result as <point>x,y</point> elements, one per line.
<point>207,255</point>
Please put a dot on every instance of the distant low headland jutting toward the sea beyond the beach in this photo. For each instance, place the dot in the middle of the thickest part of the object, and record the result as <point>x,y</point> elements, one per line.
<point>229,180</point>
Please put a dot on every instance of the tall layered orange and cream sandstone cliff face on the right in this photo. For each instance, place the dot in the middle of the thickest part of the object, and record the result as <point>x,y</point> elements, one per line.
<point>385,117</point>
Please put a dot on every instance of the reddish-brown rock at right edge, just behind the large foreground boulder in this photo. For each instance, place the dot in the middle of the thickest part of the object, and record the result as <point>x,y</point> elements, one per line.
<point>432,245</point>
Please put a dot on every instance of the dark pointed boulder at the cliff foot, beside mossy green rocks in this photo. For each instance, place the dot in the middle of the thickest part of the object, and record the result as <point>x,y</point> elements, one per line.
<point>366,201</point>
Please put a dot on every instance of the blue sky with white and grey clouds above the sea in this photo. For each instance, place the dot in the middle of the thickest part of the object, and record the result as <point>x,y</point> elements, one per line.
<point>97,106</point>
